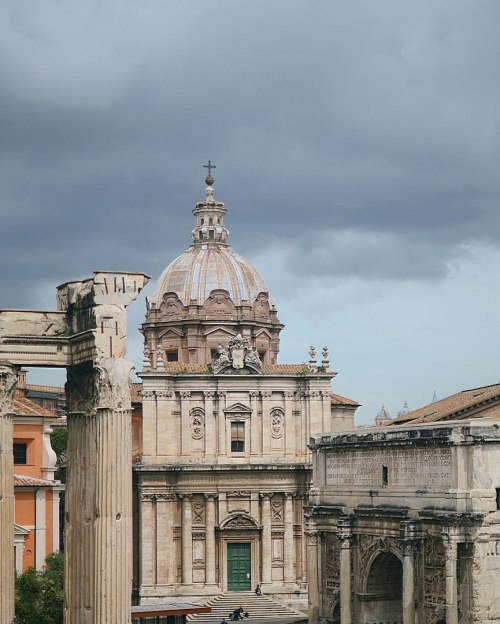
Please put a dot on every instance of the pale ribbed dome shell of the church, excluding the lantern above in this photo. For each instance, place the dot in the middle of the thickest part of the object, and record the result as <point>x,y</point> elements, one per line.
<point>205,267</point>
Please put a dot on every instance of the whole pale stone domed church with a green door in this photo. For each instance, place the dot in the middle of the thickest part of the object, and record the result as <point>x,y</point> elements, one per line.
<point>225,469</point>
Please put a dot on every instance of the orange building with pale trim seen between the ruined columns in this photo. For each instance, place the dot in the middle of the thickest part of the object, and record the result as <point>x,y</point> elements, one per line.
<point>36,531</point>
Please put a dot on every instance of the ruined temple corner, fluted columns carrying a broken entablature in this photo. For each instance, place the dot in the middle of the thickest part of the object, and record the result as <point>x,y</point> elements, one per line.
<point>87,335</point>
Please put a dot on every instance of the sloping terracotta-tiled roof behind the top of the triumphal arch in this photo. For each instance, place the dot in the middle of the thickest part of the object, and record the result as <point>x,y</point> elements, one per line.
<point>465,404</point>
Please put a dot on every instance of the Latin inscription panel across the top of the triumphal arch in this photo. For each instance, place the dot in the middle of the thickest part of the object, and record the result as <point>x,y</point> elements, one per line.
<point>391,467</point>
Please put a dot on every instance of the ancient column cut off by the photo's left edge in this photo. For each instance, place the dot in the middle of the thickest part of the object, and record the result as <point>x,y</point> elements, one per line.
<point>8,380</point>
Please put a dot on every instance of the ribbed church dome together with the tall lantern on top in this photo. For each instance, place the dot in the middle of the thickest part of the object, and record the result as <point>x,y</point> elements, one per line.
<point>210,263</point>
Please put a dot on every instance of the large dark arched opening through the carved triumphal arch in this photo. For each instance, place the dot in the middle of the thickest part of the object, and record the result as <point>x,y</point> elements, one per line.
<point>384,591</point>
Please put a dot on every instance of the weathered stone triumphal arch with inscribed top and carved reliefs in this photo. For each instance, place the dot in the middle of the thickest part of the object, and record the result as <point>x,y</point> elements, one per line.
<point>404,525</point>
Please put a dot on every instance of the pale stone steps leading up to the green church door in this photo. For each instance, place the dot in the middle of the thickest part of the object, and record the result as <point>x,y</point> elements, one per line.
<point>261,609</point>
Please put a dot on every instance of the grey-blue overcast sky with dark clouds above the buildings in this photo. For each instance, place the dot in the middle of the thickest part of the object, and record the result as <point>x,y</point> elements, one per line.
<point>357,147</point>
